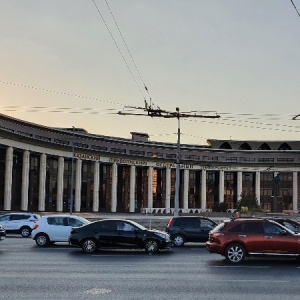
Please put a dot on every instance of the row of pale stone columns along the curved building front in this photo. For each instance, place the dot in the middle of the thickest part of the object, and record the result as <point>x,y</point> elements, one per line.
<point>96,184</point>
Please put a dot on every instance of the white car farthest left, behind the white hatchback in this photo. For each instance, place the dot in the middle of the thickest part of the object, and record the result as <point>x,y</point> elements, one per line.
<point>19,222</point>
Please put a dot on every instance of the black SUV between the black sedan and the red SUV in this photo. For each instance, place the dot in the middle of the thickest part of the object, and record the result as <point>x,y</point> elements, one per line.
<point>185,229</point>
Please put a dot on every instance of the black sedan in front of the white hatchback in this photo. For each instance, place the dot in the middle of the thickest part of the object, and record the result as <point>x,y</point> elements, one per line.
<point>120,234</point>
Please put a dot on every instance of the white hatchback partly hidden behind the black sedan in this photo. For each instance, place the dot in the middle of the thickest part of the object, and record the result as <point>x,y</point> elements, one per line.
<point>55,228</point>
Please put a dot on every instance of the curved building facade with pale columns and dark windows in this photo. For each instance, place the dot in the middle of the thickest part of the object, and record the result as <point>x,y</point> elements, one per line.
<point>46,169</point>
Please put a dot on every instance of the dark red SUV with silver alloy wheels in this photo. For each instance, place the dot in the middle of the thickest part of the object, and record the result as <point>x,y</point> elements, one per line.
<point>239,238</point>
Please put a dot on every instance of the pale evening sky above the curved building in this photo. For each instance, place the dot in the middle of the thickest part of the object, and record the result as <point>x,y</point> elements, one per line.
<point>77,63</point>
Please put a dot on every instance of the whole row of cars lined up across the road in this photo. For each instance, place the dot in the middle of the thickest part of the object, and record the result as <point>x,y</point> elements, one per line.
<point>234,239</point>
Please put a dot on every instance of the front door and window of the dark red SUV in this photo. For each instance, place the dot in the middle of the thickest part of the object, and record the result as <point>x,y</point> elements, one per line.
<point>277,240</point>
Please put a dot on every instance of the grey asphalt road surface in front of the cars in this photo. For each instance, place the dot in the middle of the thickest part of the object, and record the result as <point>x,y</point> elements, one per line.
<point>190,272</point>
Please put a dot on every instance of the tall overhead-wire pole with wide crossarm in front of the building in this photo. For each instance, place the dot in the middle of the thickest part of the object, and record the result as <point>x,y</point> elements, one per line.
<point>151,112</point>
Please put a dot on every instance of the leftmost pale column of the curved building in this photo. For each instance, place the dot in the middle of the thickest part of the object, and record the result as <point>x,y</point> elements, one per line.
<point>8,178</point>
